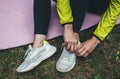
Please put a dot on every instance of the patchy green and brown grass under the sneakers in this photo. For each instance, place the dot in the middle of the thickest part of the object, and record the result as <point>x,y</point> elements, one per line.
<point>103,63</point>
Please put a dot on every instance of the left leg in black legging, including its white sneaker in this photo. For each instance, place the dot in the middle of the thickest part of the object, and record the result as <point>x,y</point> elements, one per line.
<point>36,54</point>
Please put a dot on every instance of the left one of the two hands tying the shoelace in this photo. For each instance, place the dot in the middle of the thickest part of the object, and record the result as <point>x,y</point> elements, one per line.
<point>70,38</point>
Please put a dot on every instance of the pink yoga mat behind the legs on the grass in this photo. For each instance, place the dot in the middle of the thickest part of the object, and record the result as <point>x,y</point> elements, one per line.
<point>17,27</point>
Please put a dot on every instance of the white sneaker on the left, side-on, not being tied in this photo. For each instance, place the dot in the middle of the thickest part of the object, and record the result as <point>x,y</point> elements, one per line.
<point>34,56</point>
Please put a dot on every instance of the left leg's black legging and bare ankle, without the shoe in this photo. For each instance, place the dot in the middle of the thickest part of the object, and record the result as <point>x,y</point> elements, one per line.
<point>42,12</point>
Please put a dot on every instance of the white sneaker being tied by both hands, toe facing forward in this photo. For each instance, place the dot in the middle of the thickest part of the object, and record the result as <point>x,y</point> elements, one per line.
<point>66,62</point>
